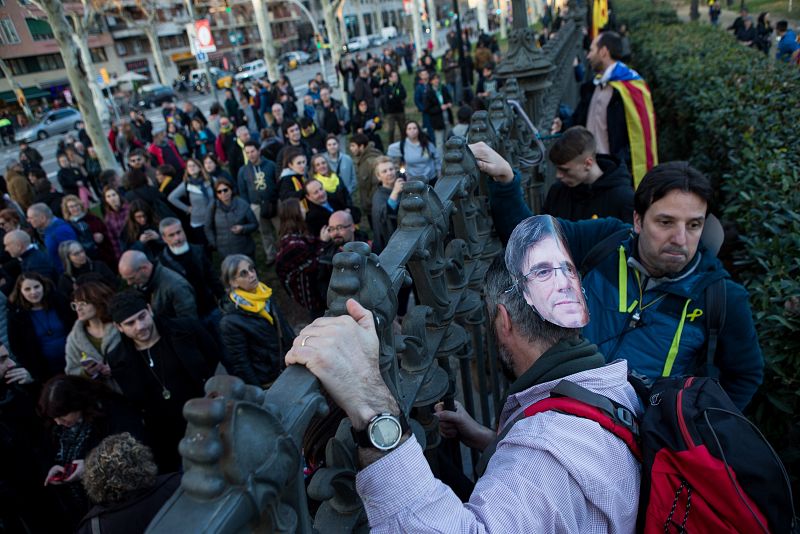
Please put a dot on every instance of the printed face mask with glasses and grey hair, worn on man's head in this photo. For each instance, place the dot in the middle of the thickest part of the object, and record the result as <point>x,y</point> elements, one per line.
<point>538,258</point>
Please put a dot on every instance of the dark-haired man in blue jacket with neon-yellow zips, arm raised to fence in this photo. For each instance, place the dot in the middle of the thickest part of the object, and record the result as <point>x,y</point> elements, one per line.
<point>657,296</point>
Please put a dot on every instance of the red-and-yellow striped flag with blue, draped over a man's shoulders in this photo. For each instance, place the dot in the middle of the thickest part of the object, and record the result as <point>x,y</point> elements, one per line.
<point>640,119</point>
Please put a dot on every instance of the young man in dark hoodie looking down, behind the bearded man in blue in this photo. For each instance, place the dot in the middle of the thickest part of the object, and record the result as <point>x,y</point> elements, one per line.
<point>592,186</point>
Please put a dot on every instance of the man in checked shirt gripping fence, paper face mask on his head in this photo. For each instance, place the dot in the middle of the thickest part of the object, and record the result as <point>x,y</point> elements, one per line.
<point>550,472</point>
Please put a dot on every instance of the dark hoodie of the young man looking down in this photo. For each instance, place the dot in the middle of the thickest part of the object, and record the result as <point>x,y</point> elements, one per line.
<point>611,195</point>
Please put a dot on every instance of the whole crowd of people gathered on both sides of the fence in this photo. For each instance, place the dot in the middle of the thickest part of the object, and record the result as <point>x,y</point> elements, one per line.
<point>126,292</point>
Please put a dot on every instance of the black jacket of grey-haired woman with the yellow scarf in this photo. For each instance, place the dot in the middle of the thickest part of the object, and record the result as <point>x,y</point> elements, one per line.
<point>254,349</point>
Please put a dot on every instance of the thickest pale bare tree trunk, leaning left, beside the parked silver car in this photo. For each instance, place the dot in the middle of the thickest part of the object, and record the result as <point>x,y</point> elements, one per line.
<point>62,31</point>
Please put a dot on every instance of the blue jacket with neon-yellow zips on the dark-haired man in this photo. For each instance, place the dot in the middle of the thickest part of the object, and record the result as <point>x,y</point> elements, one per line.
<point>738,357</point>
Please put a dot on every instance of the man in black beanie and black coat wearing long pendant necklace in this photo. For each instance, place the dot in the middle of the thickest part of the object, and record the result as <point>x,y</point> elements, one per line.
<point>160,364</point>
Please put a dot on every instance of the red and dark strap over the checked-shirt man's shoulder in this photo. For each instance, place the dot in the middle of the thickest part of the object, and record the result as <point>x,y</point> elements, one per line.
<point>570,398</point>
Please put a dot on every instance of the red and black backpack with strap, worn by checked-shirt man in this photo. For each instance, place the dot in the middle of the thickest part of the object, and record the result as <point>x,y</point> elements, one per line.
<point>705,467</point>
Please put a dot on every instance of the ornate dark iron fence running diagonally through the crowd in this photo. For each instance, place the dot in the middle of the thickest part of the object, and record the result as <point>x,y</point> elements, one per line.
<point>242,451</point>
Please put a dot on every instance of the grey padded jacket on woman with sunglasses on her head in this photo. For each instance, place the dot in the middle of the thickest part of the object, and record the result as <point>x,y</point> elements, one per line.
<point>220,219</point>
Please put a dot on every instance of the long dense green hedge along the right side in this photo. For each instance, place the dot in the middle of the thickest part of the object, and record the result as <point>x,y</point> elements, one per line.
<point>732,114</point>
